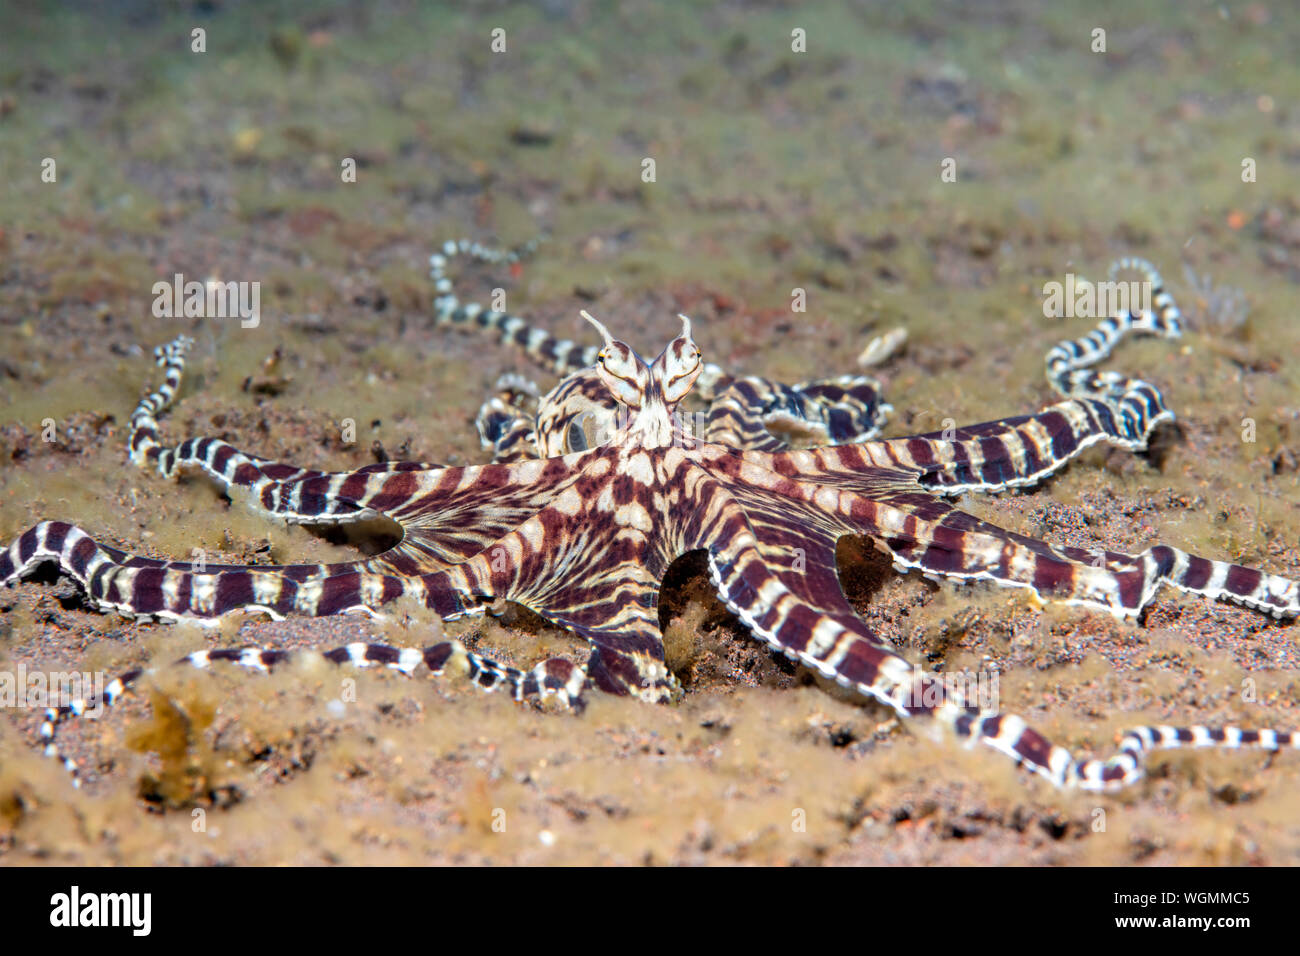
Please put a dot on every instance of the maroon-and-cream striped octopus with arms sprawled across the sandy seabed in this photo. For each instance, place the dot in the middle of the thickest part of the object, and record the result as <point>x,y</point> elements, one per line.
<point>586,538</point>
